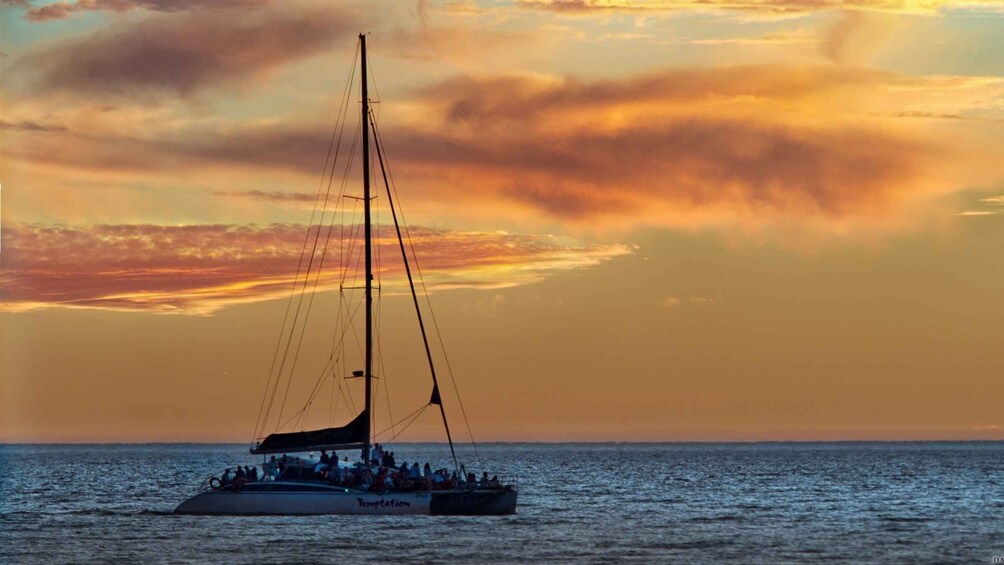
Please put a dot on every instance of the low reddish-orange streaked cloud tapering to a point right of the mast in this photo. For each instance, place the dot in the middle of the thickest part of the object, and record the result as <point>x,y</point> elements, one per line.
<point>198,269</point>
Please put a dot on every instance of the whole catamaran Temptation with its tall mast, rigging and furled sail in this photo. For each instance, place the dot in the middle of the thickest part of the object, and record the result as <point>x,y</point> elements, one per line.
<point>300,484</point>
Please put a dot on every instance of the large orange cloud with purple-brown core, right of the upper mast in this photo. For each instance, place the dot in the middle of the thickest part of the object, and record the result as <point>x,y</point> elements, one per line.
<point>690,147</point>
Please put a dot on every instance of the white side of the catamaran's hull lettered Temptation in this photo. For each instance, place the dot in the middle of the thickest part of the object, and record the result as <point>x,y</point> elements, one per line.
<point>309,503</point>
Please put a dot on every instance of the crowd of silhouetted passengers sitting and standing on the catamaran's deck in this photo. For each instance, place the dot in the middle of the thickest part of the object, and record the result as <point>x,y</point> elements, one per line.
<point>389,477</point>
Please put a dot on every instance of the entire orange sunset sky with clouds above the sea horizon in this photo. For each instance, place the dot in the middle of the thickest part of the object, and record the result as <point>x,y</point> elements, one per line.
<point>672,220</point>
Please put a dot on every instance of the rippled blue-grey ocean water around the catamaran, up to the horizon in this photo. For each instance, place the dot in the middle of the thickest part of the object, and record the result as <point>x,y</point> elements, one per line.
<point>595,503</point>
